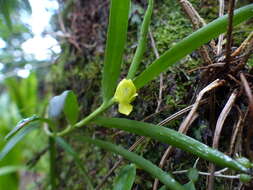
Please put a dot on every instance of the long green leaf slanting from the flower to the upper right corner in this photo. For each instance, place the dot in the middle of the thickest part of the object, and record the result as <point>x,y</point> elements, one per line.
<point>190,43</point>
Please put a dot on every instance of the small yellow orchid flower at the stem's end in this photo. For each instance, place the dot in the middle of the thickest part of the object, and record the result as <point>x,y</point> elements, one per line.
<point>124,95</point>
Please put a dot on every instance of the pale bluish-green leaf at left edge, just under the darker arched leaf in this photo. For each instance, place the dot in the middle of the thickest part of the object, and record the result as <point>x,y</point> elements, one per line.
<point>15,139</point>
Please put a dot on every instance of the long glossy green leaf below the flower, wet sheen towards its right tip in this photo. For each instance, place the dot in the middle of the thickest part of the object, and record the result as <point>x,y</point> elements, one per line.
<point>173,138</point>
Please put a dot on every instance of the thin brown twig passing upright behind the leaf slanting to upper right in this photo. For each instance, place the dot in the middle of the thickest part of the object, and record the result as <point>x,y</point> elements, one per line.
<point>153,44</point>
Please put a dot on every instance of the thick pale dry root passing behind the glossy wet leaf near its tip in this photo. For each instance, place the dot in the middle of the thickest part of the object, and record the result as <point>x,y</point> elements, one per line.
<point>218,128</point>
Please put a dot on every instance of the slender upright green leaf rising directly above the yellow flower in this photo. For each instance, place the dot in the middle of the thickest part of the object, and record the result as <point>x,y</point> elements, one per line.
<point>142,41</point>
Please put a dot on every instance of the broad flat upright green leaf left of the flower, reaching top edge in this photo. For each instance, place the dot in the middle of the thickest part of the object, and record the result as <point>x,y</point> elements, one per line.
<point>116,38</point>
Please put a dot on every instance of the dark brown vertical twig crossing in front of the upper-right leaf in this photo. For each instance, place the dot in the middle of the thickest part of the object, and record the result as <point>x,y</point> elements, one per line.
<point>230,30</point>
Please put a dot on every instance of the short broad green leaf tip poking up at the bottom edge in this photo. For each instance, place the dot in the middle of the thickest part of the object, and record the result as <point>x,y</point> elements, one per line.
<point>125,179</point>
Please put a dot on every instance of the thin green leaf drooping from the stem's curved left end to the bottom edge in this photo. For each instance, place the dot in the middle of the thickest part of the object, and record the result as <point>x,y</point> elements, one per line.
<point>76,158</point>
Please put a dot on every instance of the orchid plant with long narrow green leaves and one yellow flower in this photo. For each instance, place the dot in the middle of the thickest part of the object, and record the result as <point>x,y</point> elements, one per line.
<point>124,94</point>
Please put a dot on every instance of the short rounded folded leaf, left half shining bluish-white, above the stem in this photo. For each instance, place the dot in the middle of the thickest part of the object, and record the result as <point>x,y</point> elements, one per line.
<point>65,103</point>
